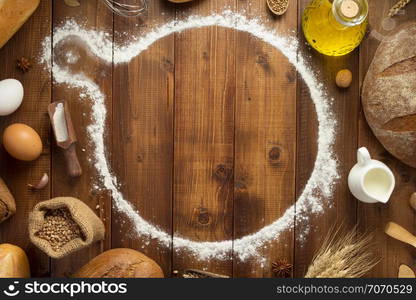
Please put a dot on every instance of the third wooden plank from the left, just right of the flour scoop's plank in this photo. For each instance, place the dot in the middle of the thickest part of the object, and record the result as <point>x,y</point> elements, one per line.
<point>143,123</point>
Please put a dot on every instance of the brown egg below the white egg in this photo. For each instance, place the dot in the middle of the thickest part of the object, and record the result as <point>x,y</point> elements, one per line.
<point>22,142</point>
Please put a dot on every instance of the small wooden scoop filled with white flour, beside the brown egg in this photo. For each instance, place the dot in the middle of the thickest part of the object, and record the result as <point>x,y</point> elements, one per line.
<point>65,135</point>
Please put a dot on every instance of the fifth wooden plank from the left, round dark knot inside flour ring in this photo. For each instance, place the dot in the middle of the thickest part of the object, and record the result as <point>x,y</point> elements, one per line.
<point>265,139</point>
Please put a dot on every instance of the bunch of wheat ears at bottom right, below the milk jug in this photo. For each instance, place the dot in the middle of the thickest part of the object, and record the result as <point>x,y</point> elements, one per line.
<point>347,256</point>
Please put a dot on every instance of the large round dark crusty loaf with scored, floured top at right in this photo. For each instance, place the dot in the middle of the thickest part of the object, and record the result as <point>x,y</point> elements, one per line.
<point>389,94</point>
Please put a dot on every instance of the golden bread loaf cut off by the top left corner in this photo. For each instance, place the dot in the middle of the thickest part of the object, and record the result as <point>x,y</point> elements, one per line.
<point>13,14</point>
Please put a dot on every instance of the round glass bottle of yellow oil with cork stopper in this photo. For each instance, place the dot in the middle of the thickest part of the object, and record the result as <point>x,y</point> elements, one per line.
<point>335,27</point>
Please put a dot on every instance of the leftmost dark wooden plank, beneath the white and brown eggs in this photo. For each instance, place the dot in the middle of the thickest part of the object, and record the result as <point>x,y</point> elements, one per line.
<point>37,85</point>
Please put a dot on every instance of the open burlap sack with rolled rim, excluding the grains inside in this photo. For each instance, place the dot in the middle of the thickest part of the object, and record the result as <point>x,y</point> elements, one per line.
<point>91,226</point>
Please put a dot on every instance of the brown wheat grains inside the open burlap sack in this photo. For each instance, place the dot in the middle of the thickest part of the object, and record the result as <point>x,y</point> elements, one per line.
<point>59,228</point>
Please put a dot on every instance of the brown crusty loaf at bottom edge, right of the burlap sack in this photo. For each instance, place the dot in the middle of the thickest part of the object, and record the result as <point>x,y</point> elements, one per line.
<point>120,263</point>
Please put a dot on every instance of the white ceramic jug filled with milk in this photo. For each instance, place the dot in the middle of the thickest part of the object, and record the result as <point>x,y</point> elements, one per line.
<point>370,180</point>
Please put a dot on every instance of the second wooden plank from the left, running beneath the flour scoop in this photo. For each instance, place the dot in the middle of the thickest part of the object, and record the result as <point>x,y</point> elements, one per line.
<point>94,15</point>
